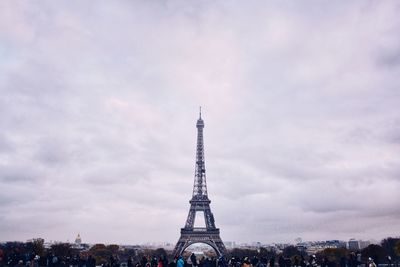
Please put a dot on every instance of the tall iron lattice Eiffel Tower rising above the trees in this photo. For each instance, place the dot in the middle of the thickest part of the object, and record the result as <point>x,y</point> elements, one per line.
<point>200,203</point>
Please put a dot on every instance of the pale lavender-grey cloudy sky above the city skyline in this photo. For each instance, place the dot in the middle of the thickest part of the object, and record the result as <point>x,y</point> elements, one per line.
<point>99,100</point>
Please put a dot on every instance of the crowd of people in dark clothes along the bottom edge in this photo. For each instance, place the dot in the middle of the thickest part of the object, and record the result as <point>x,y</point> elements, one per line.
<point>52,260</point>
